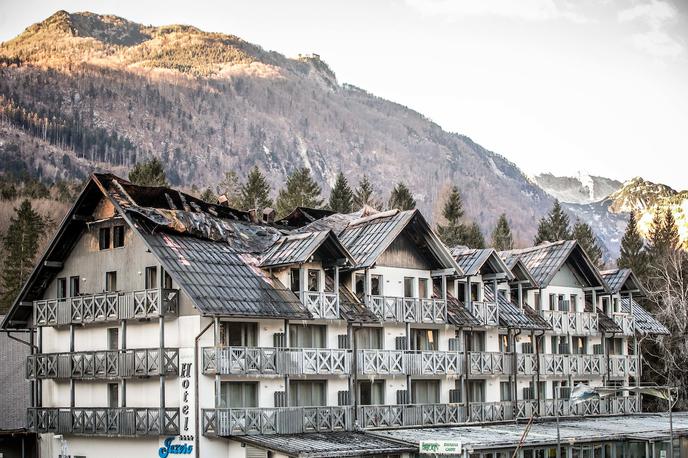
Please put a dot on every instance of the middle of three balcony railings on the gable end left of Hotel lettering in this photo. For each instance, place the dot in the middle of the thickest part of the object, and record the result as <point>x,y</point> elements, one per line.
<point>104,364</point>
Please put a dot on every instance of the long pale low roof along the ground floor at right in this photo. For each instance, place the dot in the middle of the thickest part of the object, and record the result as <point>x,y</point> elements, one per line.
<point>542,433</point>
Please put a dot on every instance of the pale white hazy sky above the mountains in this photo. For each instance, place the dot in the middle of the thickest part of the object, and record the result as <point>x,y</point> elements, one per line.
<point>599,86</point>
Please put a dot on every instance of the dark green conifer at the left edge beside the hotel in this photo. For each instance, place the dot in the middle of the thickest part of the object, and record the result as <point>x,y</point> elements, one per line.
<point>20,245</point>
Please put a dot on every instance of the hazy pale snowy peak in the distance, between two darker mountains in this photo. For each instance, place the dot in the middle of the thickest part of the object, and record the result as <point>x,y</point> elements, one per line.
<point>579,189</point>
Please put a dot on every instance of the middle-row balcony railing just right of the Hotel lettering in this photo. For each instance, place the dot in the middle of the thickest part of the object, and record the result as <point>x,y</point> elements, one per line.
<point>275,361</point>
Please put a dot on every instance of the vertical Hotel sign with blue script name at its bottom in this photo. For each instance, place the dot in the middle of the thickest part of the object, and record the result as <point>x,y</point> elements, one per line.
<point>183,444</point>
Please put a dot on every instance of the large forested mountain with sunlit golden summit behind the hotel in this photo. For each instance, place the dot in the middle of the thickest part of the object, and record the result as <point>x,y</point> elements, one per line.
<point>84,91</point>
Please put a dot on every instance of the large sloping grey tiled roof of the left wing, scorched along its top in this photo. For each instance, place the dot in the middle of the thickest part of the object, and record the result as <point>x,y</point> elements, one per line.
<point>221,281</point>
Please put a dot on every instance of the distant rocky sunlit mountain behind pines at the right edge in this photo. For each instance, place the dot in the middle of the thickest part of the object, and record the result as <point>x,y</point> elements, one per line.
<point>609,217</point>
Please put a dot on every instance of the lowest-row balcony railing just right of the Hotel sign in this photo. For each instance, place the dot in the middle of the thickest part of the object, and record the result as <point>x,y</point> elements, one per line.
<point>278,420</point>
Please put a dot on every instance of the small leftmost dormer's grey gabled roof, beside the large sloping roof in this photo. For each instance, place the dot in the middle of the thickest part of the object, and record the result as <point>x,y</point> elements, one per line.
<point>299,248</point>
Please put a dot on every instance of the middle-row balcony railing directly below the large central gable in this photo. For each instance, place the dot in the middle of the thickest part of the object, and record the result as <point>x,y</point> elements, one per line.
<point>402,362</point>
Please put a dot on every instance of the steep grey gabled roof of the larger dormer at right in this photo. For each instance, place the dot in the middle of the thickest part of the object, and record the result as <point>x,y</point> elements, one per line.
<point>545,260</point>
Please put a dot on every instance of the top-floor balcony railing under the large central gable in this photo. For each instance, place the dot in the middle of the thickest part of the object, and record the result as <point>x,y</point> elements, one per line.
<point>408,309</point>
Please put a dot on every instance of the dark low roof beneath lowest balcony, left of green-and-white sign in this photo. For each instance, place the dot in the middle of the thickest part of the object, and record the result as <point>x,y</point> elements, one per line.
<point>330,444</point>
